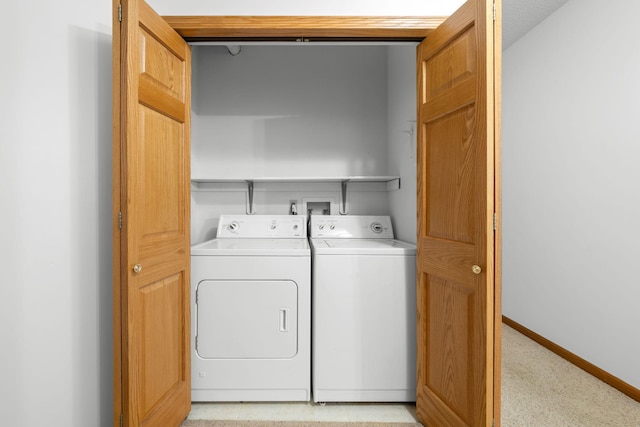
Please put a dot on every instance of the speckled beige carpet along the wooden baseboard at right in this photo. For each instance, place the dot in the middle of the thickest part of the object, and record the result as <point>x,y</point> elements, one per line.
<point>541,389</point>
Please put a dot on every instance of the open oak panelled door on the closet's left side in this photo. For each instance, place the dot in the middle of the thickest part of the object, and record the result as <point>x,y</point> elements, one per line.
<point>152,95</point>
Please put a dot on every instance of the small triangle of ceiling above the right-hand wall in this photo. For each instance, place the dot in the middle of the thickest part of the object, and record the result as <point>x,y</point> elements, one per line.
<point>520,16</point>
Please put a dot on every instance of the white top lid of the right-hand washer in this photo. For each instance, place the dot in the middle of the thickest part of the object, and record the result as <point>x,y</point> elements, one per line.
<point>362,247</point>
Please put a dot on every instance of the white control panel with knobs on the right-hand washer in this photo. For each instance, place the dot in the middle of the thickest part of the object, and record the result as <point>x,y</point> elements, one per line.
<point>350,227</point>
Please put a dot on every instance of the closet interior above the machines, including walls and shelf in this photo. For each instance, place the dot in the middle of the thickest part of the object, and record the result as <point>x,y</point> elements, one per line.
<point>281,122</point>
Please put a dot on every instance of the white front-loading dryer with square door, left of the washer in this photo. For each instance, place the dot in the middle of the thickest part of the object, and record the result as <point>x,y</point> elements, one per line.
<point>250,296</point>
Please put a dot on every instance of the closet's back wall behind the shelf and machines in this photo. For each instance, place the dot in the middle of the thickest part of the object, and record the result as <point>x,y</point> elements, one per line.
<point>288,111</point>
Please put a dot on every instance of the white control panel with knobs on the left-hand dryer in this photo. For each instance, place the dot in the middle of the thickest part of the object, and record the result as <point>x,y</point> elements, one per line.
<point>262,226</point>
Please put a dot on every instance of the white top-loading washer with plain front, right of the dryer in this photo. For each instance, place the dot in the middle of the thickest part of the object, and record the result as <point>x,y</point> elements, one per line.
<point>364,311</point>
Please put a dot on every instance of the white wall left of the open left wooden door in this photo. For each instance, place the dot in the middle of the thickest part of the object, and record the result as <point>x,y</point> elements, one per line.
<point>55,192</point>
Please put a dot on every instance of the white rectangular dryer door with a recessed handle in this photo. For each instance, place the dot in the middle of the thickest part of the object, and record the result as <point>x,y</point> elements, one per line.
<point>250,319</point>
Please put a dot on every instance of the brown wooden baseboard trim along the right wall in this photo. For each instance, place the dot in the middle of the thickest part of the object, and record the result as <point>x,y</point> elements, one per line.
<point>592,369</point>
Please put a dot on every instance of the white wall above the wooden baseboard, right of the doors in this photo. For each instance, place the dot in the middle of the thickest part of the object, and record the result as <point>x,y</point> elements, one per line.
<point>571,183</point>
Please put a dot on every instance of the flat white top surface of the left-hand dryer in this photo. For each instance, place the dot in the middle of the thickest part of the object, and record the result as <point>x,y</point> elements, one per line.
<point>252,247</point>
